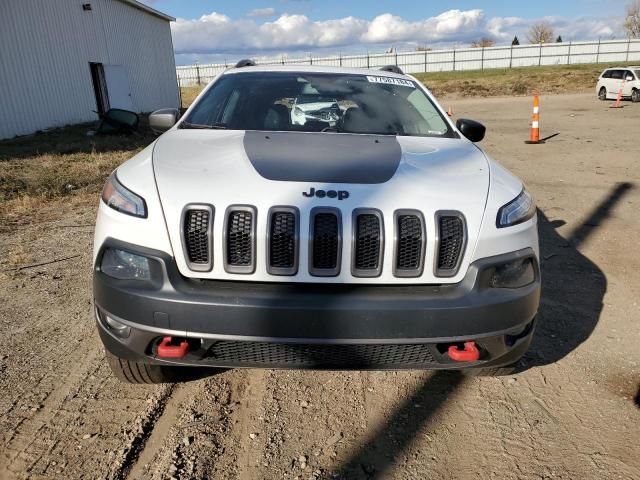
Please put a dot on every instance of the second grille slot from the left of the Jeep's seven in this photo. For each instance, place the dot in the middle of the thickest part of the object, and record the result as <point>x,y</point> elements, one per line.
<point>239,240</point>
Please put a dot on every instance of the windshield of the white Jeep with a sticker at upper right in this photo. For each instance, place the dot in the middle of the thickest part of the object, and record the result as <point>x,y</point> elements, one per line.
<point>318,102</point>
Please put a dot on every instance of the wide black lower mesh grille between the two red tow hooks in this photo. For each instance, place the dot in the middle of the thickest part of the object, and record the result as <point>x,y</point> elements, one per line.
<point>321,356</point>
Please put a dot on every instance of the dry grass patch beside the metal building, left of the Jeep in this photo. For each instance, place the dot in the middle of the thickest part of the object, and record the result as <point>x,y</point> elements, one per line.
<point>59,164</point>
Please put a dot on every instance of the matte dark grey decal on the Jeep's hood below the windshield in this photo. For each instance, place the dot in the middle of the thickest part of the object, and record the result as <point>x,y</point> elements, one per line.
<point>323,157</point>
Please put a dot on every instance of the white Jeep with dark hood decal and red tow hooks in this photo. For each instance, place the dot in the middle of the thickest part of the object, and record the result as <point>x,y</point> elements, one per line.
<point>374,234</point>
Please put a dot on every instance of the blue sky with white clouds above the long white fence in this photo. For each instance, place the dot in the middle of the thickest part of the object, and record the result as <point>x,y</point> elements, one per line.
<point>213,31</point>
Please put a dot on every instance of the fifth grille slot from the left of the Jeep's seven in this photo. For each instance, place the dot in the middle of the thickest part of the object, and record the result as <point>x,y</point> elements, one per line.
<point>367,254</point>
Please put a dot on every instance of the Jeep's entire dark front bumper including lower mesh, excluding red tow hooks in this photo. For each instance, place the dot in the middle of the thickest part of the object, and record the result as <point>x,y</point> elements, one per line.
<point>248,324</point>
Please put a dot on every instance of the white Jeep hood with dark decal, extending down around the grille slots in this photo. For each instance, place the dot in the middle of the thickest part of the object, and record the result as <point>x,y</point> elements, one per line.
<point>307,170</point>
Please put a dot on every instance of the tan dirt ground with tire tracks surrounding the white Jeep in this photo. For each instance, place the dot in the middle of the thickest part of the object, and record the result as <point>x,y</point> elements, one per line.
<point>571,412</point>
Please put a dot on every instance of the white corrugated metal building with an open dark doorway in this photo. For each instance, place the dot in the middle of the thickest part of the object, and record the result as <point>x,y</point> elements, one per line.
<point>62,59</point>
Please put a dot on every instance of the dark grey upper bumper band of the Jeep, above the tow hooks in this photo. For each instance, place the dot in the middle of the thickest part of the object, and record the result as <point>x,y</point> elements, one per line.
<point>313,312</point>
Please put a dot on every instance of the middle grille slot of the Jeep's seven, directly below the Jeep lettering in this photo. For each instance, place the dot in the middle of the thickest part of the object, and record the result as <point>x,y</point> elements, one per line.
<point>326,241</point>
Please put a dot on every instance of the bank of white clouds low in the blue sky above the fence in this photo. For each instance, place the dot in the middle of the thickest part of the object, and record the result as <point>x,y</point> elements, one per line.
<point>217,33</point>
